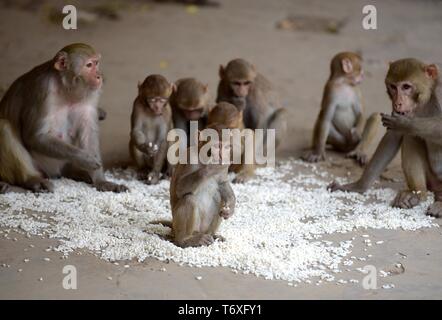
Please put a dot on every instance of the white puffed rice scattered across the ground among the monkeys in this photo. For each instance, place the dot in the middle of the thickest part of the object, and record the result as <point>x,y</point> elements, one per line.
<point>278,231</point>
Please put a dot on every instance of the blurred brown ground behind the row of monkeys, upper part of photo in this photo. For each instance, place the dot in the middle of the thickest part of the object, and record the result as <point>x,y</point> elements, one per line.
<point>291,42</point>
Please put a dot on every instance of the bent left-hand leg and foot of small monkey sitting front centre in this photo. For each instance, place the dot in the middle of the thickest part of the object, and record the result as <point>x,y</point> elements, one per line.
<point>187,222</point>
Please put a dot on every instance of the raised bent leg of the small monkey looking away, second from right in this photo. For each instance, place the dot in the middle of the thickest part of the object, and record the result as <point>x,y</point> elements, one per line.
<point>368,134</point>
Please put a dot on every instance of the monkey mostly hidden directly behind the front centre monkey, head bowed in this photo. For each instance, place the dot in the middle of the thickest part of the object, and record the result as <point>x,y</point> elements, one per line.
<point>228,115</point>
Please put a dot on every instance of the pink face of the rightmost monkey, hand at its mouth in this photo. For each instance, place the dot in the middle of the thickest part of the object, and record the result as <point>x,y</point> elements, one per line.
<point>402,96</point>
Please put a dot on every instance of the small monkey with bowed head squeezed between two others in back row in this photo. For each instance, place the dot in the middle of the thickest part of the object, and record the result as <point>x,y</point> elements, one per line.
<point>190,102</point>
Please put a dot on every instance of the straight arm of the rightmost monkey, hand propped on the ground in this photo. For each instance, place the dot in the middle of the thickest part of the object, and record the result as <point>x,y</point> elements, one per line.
<point>384,154</point>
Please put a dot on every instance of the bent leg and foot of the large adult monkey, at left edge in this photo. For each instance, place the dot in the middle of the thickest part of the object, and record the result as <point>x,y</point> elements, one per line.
<point>17,167</point>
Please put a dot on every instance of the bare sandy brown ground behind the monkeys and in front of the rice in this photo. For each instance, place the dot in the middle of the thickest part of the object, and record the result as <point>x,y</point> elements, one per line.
<point>166,39</point>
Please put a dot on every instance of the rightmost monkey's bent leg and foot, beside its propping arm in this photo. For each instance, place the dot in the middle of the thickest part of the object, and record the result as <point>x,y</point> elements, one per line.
<point>415,167</point>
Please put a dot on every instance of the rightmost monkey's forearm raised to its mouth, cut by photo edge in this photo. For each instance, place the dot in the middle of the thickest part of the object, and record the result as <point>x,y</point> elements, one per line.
<point>427,128</point>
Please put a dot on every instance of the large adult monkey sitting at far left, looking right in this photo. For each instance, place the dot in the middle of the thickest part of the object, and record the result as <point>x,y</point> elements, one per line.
<point>49,124</point>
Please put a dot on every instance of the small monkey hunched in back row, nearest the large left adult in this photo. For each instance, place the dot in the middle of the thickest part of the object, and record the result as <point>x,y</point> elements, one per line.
<point>151,120</point>
